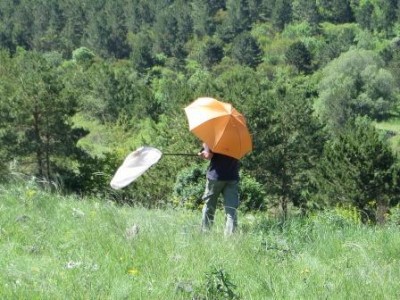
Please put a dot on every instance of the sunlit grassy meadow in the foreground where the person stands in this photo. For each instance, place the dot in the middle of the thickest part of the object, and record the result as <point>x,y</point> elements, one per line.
<point>55,247</point>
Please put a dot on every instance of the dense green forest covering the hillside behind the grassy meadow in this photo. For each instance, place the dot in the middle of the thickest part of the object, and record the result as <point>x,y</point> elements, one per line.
<point>83,83</point>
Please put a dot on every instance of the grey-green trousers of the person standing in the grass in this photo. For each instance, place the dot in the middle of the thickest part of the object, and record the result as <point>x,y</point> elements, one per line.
<point>230,192</point>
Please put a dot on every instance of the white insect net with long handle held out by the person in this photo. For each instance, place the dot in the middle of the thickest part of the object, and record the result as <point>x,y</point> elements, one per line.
<point>136,163</point>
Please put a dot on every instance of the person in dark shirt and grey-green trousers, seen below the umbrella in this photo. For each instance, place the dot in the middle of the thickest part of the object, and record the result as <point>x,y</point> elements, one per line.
<point>222,178</point>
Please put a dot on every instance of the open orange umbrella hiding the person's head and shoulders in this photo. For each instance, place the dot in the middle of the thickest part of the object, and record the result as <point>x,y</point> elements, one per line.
<point>220,126</point>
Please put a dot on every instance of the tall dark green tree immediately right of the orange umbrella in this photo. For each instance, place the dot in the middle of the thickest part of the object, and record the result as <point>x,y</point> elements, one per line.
<point>288,142</point>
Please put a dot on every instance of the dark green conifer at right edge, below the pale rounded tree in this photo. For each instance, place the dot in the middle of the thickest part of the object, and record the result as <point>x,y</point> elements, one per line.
<point>359,169</point>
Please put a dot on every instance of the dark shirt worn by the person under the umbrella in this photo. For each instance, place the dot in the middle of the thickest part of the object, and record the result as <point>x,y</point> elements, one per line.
<point>223,167</point>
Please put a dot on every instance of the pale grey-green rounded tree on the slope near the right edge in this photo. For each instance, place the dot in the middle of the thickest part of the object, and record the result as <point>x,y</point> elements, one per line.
<point>355,84</point>
